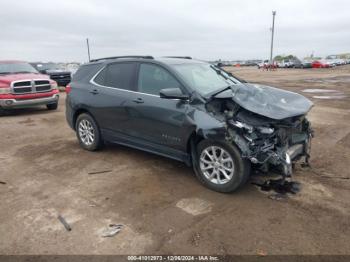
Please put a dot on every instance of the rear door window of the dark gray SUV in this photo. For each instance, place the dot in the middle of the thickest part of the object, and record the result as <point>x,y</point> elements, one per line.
<point>118,75</point>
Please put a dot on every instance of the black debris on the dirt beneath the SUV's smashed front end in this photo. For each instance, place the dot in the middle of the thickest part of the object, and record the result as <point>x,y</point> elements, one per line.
<point>280,186</point>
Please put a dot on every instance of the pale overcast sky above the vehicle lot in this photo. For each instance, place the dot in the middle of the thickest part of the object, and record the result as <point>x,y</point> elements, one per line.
<point>44,30</point>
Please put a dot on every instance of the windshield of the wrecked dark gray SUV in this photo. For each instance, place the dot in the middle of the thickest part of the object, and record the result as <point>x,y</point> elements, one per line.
<point>205,78</point>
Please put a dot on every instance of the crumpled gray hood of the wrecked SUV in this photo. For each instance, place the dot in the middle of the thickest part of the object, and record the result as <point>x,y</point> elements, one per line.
<point>268,101</point>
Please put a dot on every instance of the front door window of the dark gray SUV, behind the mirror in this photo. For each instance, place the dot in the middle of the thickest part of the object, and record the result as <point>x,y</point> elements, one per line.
<point>153,78</point>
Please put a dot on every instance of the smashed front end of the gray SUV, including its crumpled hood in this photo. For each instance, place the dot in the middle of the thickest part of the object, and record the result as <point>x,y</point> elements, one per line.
<point>267,124</point>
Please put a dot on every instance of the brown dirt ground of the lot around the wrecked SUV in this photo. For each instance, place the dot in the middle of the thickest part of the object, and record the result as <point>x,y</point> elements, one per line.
<point>163,208</point>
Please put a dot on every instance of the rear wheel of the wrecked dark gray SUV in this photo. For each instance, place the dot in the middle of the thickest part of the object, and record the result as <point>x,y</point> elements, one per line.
<point>88,132</point>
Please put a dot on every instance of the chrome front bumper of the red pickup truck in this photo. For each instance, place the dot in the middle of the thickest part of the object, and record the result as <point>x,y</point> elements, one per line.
<point>11,103</point>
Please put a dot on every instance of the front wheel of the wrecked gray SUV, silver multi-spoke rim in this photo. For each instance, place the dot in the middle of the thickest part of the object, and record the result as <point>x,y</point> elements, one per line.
<point>220,166</point>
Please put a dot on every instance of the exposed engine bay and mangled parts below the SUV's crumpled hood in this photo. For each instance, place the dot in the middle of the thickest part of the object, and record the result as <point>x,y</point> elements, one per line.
<point>266,142</point>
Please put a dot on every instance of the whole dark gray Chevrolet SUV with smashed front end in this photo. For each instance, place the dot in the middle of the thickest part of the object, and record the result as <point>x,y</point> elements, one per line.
<point>191,111</point>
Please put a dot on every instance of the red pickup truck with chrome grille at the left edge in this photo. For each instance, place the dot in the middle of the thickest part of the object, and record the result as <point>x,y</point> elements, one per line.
<point>21,85</point>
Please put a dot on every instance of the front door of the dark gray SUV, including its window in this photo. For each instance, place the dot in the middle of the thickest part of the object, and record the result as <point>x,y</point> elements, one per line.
<point>156,120</point>
